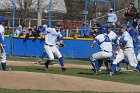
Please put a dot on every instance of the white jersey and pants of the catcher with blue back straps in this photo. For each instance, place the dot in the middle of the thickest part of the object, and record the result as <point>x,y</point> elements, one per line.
<point>105,41</point>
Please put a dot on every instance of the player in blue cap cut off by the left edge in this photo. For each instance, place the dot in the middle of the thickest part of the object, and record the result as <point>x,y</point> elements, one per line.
<point>2,45</point>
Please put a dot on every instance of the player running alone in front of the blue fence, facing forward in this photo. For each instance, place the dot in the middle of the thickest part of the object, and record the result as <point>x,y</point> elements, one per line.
<point>51,35</point>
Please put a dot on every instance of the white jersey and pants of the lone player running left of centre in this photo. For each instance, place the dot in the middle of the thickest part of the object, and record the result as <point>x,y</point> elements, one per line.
<point>50,43</point>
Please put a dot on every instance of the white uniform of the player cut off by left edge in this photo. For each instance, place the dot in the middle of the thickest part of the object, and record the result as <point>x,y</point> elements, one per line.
<point>3,54</point>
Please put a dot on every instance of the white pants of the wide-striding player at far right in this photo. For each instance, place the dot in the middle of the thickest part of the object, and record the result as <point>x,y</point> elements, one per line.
<point>129,54</point>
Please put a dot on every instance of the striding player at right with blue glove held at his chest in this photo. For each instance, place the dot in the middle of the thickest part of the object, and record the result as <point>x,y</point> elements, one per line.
<point>125,41</point>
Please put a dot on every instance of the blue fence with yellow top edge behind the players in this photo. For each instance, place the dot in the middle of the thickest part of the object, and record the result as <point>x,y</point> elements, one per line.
<point>34,47</point>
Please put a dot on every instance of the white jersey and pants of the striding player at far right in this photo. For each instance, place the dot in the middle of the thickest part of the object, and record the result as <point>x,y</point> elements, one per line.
<point>127,51</point>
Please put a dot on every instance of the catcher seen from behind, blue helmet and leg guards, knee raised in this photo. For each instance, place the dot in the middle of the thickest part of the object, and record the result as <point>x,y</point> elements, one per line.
<point>105,41</point>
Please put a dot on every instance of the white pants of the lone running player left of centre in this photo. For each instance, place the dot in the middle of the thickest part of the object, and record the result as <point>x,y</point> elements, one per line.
<point>50,50</point>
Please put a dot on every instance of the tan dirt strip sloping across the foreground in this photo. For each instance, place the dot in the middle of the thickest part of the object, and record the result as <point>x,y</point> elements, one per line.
<point>45,81</point>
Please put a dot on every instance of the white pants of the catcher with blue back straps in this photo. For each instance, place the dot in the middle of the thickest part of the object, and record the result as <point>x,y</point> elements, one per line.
<point>101,55</point>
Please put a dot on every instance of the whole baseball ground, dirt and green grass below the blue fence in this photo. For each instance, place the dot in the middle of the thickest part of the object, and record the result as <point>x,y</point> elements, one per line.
<point>25,75</point>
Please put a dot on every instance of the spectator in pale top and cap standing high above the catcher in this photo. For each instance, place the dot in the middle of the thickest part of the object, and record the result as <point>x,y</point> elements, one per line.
<point>111,18</point>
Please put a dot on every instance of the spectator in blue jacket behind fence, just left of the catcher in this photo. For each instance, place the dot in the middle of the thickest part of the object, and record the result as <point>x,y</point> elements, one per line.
<point>85,30</point>
